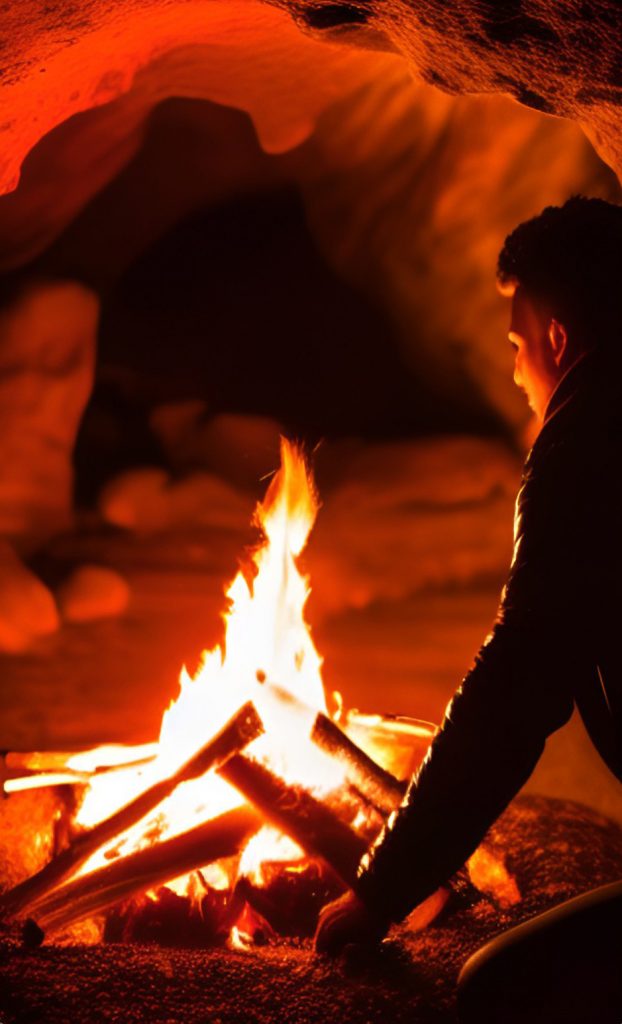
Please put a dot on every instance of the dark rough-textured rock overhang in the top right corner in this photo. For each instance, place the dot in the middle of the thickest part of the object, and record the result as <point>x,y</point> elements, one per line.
<point>558,57</point>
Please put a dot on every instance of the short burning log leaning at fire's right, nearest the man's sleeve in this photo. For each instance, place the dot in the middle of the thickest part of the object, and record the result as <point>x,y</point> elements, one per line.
<point>379,786</point>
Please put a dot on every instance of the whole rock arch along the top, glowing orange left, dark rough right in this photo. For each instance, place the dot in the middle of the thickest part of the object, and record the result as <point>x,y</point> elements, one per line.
<point>558,58</point>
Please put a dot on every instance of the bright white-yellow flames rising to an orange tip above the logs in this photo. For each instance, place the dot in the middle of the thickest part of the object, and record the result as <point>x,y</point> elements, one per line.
<point>268,657</point>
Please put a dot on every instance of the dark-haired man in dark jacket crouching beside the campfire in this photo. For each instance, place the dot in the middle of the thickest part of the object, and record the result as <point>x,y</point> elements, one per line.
<point>557,642</point>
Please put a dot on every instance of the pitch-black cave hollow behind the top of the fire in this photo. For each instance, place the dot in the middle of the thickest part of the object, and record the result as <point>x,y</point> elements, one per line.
<point>236,307</point>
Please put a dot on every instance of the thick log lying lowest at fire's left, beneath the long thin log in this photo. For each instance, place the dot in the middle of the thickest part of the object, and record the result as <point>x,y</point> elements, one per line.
<point>129,877</point>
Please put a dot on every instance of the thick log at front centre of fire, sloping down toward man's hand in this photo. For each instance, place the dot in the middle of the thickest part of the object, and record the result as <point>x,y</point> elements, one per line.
<point>311,824</point>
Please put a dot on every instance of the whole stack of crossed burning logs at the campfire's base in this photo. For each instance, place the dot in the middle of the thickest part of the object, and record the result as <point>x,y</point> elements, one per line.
<point>58,897</point>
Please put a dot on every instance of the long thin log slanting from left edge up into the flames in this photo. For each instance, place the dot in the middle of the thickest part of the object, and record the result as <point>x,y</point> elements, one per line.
<point>239,732</point>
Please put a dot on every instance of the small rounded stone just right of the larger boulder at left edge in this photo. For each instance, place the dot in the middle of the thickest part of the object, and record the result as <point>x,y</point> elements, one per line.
<point>93,592</point>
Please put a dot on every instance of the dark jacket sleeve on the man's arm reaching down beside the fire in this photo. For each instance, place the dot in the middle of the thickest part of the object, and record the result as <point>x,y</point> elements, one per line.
<point>518,693</point>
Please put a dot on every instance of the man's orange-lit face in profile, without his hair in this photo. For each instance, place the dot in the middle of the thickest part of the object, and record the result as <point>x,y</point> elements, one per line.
<point>536,372</point>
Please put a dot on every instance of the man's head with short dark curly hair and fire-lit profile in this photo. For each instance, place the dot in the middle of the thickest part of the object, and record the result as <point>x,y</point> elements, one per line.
<point>564,272</point>
